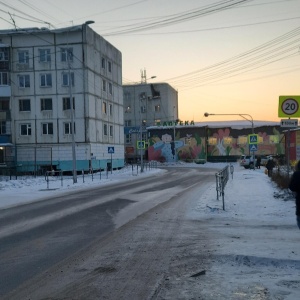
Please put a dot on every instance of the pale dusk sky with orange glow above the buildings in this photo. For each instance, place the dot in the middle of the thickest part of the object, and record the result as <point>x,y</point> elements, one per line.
<point>223,56</point>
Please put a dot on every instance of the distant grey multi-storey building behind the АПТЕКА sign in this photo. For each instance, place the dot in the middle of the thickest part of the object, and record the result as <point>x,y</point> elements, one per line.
<point>146,105</point>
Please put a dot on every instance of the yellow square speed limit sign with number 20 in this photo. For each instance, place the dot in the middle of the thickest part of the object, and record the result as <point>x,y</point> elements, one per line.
<point>289,106</point>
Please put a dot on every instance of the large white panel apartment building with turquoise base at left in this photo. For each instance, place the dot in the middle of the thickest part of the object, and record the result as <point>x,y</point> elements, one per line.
<point>42,74</point>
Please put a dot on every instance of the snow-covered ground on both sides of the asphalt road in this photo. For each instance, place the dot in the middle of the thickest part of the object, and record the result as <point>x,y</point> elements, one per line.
<point>257,241</point>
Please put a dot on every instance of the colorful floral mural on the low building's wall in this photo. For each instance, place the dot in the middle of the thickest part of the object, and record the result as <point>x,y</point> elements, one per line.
<point>190,143</point>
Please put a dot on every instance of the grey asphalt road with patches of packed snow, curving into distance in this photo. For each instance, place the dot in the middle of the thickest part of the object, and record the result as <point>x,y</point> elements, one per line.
<point>113,242</point>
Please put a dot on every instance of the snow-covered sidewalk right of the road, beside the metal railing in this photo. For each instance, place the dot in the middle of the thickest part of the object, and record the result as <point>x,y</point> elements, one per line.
<point>256,241</point>
